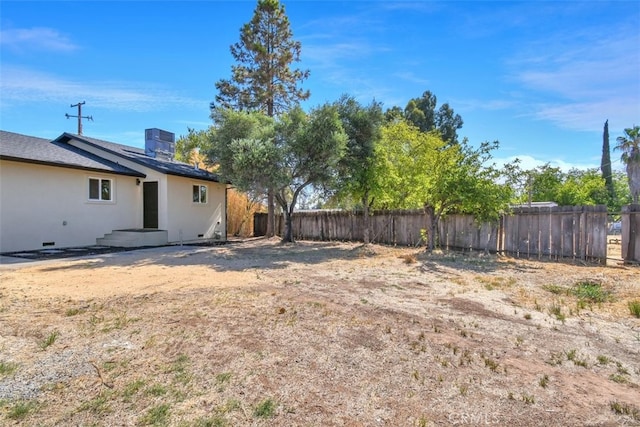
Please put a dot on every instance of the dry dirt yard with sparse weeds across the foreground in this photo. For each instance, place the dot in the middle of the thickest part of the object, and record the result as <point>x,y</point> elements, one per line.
<point>317,334</point>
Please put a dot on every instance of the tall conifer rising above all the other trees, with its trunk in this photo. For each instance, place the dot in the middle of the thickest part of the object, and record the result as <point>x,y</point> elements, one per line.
<point>263,78</point>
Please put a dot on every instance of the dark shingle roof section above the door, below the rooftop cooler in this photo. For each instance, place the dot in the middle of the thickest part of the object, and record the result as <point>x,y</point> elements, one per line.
<point>137,155</point>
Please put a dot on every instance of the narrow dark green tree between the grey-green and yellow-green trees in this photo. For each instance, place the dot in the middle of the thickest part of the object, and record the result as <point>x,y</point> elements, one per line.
<point>357,174</point>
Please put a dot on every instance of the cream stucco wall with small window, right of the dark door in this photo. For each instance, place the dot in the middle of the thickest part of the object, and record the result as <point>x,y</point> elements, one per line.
<point>187,220</point>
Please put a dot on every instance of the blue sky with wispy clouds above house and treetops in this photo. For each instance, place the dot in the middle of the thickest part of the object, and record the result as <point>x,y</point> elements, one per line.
<point>540,77</point>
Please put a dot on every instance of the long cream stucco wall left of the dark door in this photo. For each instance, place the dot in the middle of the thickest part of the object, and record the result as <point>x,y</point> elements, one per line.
<point>50,204</point>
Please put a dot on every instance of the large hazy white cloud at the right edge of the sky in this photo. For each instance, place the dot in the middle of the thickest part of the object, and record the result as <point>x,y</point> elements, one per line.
<point>589,77</point>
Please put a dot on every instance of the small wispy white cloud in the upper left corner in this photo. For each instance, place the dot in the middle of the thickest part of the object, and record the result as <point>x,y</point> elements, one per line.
<point>37,38</point>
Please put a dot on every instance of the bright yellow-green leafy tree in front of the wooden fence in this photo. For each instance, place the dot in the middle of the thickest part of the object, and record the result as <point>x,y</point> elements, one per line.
<point>421,170</point>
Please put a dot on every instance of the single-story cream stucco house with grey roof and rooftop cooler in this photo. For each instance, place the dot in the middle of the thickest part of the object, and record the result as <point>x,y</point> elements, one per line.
<point>80,191</point>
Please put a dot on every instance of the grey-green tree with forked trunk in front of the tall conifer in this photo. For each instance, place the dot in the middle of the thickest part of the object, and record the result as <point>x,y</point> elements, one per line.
<point>257,152</point>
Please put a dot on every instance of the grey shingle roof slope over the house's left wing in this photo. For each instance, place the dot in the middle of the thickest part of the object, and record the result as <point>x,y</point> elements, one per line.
<point>29,149</point>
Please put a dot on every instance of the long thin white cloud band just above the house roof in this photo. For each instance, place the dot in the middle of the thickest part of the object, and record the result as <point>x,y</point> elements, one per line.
<point>23,86</point>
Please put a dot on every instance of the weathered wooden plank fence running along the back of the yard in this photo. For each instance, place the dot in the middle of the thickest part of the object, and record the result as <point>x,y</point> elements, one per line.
<point>578,232</point>
